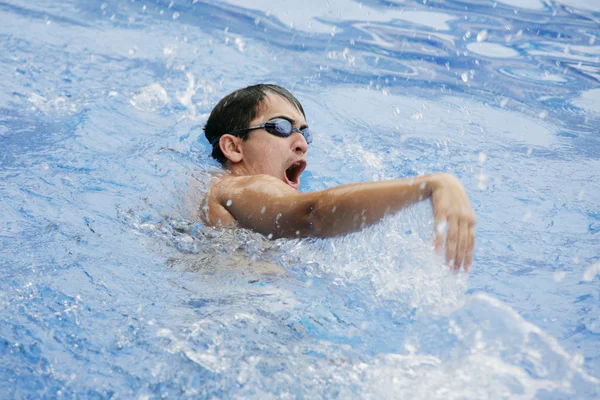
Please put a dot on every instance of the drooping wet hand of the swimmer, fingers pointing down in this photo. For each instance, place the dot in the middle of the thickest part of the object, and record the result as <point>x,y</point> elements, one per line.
<point>452,211</point>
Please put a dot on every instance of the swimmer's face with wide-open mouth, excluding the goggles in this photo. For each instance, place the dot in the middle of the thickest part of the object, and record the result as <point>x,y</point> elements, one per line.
<point>264,153</point>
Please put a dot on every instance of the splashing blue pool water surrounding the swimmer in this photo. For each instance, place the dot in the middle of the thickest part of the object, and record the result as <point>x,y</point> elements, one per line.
<point>110,288</point>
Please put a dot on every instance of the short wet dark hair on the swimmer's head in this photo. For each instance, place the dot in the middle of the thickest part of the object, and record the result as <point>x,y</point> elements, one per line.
<point>236,110</point>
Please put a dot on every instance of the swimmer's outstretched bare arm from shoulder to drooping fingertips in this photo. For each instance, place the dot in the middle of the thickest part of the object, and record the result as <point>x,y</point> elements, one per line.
<point>267,205</point>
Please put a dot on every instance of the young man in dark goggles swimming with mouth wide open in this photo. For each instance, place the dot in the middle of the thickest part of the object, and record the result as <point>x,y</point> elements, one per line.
<point>261,137</point>
